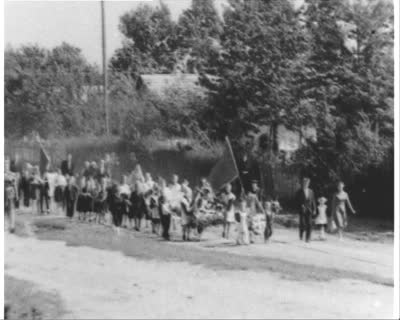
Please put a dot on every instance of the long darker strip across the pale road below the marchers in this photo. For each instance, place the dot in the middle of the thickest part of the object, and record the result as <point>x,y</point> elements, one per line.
<point>143,245</point>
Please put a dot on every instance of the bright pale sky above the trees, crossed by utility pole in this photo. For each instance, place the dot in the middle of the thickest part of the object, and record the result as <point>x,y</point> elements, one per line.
<point>49,23</point>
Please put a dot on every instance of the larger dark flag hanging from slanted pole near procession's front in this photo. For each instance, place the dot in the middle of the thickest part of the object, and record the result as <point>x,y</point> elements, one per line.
<point>225,170</point>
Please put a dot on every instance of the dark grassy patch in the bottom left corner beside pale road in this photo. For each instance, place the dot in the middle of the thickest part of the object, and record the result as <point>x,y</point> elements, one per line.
<point>24,301</point>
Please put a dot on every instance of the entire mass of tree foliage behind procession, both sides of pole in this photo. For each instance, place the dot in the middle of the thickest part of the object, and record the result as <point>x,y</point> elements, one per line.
<point>327,64</point>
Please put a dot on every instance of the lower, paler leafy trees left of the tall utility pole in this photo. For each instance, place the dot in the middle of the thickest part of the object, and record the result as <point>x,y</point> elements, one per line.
<point>45,89</point>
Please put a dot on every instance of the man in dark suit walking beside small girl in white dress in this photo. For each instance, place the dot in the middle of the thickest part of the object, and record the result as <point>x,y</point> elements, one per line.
<point>305,200</point>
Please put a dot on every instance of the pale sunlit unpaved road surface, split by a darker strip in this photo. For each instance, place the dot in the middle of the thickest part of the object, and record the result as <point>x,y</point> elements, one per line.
<point>102,284</point>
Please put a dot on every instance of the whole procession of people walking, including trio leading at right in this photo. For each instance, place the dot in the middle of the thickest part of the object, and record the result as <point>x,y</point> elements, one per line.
<point>138,201</point>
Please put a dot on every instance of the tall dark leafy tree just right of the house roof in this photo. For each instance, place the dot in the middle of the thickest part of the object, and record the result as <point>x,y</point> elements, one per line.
<point>259,43</point>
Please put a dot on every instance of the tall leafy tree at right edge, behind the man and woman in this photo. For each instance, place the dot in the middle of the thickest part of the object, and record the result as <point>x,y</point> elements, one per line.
<point>346,90</point>
